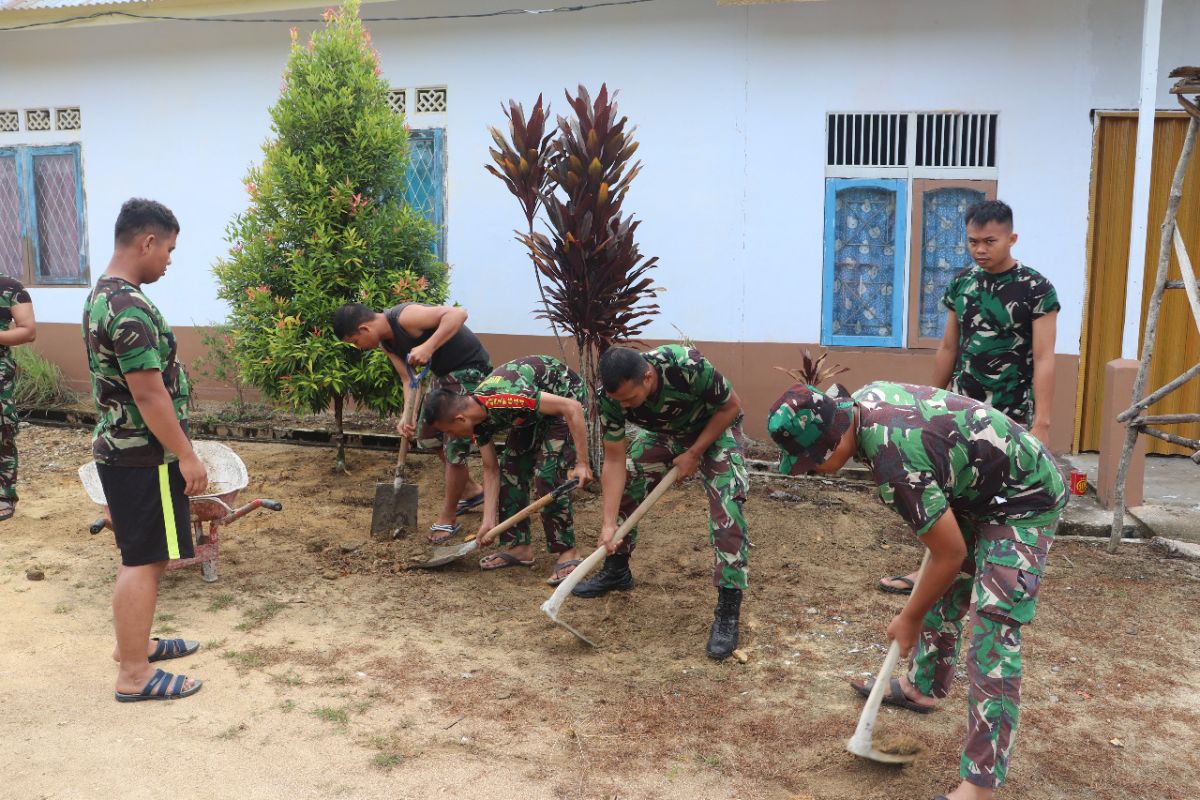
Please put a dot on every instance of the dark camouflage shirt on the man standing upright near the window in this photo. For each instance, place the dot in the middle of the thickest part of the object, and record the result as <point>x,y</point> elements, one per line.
<point>997,315</point>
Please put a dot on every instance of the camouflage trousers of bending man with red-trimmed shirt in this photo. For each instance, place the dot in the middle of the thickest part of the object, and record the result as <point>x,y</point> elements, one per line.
<point>543,456</point>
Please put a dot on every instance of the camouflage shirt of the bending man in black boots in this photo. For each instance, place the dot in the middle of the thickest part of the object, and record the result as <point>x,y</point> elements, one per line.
<point>691,393</point>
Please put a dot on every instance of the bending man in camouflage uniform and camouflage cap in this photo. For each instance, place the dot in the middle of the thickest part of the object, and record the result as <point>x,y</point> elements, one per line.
<point>985,496</point>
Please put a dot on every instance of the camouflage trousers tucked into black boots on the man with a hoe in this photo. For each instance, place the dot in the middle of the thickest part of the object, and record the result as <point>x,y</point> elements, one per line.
<point>724,473</point>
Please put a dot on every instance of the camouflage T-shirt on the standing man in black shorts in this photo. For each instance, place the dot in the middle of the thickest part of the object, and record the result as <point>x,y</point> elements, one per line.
<point>125,333</point>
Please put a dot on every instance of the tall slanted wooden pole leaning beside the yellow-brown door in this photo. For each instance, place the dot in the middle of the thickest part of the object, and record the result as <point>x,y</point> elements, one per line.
<point>1148,348</point>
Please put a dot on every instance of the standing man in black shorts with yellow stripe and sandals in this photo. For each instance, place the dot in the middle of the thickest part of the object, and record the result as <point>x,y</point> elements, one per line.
<point>143,455</point>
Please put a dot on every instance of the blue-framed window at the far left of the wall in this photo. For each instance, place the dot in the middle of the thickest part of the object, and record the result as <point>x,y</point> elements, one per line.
<point>43,228</point>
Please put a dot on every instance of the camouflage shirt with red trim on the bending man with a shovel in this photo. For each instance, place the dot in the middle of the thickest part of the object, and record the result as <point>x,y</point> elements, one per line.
<point>512,395</point>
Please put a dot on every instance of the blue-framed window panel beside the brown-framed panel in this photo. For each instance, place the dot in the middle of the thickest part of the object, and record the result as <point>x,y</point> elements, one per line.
<point>865,263</point>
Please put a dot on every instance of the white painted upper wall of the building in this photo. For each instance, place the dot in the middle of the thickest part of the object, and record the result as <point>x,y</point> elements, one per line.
<point>730,105</point>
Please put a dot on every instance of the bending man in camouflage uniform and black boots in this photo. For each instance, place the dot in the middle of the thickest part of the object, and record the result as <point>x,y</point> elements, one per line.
<point>688,417</point>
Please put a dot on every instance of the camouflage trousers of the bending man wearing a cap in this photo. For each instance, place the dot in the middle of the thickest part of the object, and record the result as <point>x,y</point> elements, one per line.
<point>1001,586</point>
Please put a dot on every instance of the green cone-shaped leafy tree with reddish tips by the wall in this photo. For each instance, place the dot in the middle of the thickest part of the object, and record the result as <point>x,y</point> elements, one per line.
<point>327,225</point>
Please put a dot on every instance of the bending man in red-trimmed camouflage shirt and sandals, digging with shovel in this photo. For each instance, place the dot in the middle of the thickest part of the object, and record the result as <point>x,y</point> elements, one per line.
<point>537,404</point>
